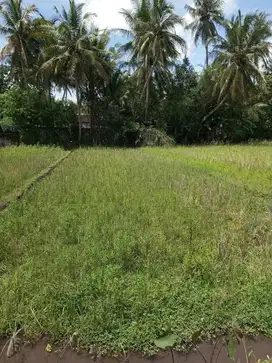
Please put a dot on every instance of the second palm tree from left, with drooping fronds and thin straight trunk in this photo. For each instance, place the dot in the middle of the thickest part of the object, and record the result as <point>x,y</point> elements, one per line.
<point>73,53</point>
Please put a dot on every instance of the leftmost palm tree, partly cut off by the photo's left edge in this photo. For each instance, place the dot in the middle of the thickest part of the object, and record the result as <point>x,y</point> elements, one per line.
<point>17,27</point>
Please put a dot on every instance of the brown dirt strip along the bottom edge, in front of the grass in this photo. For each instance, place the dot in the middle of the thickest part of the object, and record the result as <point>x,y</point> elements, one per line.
<point>261,348</point>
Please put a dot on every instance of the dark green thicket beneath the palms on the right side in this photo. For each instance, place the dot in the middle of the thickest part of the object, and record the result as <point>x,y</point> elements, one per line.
<point>186,104</point>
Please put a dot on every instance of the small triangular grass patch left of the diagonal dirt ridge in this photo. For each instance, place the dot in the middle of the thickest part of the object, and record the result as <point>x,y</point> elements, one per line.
<point>18,164</point>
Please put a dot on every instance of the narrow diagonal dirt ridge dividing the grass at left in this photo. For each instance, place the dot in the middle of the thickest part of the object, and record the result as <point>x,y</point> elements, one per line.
<point>31,183</point>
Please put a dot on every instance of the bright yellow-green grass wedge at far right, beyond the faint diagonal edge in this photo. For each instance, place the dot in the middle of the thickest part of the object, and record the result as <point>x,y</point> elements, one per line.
<point>250,166</point>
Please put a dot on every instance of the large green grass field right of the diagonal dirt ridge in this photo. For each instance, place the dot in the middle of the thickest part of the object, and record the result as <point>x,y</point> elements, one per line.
<point>117,244</point>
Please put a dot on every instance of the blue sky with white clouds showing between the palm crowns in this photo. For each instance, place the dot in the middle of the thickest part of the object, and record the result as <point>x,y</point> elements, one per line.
<point>108,16</point>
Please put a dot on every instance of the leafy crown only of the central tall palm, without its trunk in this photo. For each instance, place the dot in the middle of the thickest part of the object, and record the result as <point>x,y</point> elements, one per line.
<point>152,26</point>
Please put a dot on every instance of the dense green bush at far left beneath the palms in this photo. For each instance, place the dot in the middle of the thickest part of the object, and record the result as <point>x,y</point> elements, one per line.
<point>36,118</point>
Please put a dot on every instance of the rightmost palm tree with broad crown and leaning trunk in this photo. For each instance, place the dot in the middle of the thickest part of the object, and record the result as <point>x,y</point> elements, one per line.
<point>239,57</point>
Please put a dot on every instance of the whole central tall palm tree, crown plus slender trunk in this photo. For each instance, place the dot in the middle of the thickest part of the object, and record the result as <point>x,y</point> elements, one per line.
<point>154,44</point>
